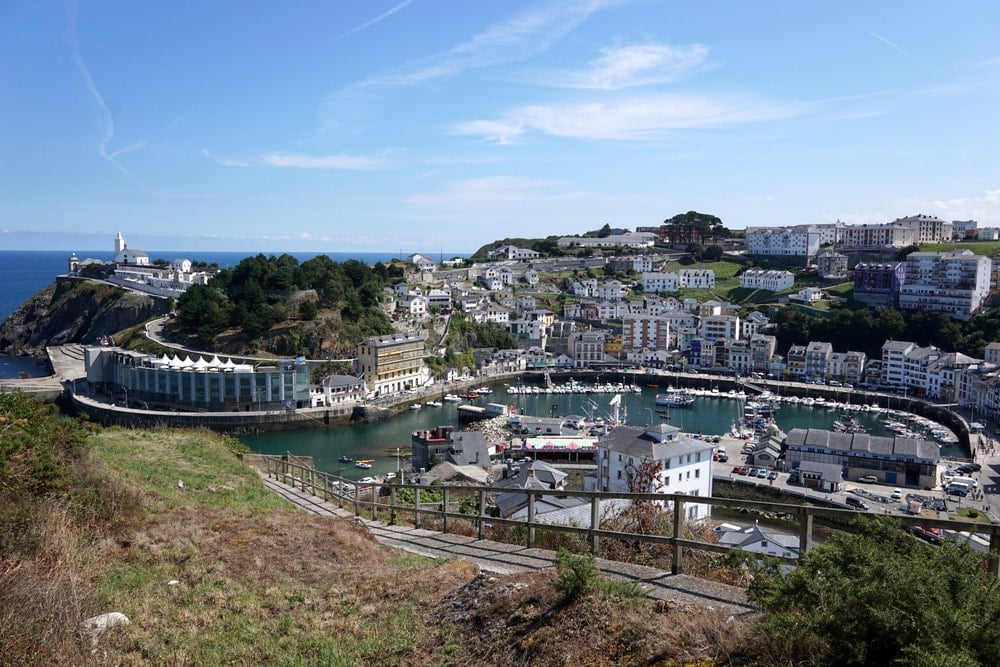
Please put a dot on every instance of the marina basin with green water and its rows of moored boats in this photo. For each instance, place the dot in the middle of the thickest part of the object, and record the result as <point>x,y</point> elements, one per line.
<point>387,443</point>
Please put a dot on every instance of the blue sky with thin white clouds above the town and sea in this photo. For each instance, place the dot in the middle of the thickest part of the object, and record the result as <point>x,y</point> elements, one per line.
<point>439,125</point>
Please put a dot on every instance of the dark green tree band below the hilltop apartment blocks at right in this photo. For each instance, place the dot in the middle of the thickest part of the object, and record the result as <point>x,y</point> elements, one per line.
<point>865,329</point>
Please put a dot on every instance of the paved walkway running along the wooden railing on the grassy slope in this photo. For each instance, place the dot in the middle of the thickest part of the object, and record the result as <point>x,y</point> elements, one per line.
<point>504,558</point>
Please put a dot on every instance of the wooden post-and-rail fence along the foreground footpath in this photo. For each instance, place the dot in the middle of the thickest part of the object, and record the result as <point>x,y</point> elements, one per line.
<point>370,498</point>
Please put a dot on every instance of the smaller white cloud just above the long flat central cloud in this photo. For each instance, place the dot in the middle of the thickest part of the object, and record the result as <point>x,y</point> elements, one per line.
<point>634,65</point>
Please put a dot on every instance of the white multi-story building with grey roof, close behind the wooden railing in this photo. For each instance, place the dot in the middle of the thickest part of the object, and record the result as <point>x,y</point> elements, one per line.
<point>657,459</point>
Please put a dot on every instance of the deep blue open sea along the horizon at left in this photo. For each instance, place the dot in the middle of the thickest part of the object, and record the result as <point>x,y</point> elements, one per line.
<point>25,273</point>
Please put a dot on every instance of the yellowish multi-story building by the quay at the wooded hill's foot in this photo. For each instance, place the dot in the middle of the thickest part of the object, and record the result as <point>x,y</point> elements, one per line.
<point>392,363</point>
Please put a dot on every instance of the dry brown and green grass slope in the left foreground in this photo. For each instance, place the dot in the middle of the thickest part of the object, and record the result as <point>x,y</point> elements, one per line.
<point>220,571</point>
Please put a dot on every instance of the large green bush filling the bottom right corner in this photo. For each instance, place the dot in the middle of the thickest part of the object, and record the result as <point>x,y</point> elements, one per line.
<point>881,597</point>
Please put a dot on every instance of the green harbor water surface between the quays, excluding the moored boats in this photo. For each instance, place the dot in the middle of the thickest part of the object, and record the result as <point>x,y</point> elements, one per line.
<point>380,440</point>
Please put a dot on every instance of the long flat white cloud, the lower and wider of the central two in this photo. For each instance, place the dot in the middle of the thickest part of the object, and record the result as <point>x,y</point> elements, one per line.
<point>647,117</point>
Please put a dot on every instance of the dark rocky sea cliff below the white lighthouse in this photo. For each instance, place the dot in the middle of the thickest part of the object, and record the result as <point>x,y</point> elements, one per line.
<point>74,311</point>
